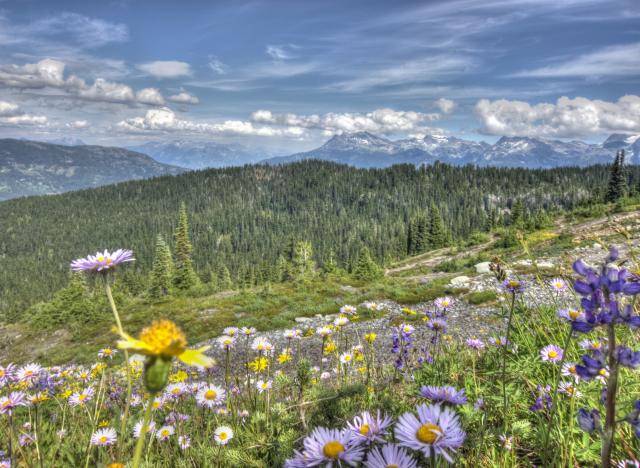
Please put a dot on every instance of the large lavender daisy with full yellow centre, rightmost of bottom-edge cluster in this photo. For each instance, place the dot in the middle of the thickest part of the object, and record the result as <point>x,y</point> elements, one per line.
<point>434,428</point>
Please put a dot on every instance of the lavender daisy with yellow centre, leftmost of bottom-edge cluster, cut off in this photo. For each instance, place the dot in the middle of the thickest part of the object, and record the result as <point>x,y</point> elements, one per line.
<point>331,447</point>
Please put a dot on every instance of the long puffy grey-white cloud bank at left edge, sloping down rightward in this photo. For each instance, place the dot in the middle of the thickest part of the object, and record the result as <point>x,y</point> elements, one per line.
<point>49,73</point>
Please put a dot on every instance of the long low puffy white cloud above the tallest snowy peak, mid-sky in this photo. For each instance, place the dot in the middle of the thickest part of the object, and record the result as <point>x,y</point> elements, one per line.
<point>386,121</point>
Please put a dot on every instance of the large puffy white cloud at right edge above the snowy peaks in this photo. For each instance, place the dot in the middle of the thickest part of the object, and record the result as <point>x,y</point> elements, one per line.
<point>567,118</point>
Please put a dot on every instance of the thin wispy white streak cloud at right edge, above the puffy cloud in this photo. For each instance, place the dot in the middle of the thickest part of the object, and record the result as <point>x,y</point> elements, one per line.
<point>620,60</point>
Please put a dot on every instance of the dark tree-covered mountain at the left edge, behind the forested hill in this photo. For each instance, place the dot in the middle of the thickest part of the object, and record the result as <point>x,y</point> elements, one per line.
<point>37,168</point>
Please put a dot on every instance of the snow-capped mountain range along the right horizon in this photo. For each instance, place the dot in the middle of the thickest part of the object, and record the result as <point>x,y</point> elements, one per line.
<point>363,149</point>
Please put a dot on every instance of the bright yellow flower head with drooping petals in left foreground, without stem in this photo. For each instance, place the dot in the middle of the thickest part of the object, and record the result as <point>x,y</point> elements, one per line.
<point>164,339</point>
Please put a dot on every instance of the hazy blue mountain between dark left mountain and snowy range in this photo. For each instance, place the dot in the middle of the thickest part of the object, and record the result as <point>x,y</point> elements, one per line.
<point>199,154</point>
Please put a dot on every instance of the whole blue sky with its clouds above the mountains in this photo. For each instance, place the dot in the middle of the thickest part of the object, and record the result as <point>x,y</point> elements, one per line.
<point>287,75</point>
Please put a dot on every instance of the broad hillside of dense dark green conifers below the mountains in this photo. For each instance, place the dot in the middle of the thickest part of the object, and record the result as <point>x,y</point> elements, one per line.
<point>245,219</point>
